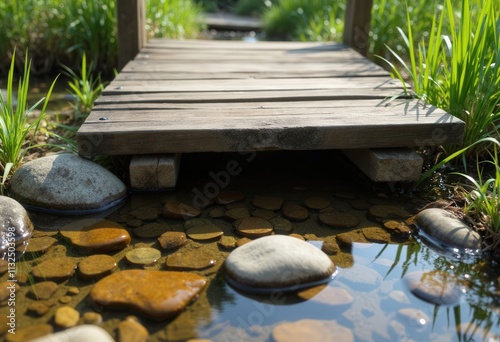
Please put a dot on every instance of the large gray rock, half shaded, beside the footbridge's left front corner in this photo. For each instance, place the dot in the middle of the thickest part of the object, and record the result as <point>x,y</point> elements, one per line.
<point>66,182</point>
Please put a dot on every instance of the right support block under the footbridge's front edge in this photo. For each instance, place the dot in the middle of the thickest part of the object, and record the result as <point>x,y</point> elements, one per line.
<point>387,164</point>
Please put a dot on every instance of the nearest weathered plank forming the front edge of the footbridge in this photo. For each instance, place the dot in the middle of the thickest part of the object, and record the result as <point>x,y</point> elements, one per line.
<point>395,125</point>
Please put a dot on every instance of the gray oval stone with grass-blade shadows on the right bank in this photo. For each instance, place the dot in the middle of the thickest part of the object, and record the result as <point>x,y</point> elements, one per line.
<point>443,227</point>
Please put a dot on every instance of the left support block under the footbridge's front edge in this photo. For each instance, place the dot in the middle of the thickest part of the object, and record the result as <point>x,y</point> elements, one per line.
<point>154,171</point>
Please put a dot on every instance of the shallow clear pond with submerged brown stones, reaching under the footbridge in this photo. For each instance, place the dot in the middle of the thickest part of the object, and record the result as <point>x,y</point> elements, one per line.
<point>401,290</point>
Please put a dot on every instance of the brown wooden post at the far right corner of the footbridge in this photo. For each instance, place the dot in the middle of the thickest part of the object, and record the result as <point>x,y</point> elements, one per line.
<point>357,24</point>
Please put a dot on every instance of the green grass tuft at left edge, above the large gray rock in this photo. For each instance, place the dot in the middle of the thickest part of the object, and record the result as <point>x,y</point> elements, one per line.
<point>19,123</point>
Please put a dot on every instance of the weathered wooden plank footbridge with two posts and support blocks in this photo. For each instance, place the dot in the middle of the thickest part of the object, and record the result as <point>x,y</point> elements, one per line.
<point>183,96</point>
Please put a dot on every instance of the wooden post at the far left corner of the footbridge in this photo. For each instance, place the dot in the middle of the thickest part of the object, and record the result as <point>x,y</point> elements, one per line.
<point>131,18</point>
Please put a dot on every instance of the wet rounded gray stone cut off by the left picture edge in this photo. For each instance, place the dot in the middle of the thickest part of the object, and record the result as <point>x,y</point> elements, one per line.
<point>15,227</point>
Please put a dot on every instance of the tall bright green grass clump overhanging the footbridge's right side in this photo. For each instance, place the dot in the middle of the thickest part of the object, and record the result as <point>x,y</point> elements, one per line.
<point>458,72</point>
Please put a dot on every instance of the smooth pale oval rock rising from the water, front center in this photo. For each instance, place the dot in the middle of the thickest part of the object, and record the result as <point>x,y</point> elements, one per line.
<point>277,262</point>
